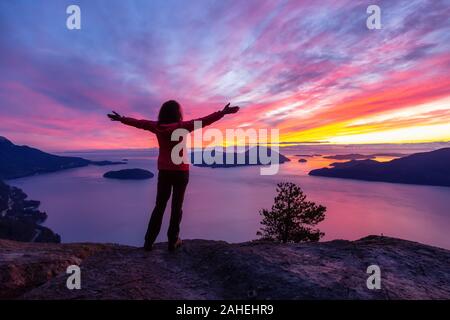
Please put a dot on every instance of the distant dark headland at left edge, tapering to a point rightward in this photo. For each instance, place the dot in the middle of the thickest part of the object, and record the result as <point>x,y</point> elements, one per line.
<point>22,161</point>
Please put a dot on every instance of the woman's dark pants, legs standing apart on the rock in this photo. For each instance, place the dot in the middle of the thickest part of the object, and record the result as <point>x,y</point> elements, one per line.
<point>168,181</point>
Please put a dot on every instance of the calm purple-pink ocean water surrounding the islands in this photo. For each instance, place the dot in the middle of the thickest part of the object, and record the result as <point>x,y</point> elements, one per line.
<point>224,203</point>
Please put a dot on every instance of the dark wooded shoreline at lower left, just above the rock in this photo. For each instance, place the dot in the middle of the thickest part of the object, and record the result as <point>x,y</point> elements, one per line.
<point>20,218</point>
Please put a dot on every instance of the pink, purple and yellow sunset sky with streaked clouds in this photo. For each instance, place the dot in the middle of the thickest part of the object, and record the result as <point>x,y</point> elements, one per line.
<point>309,68</point>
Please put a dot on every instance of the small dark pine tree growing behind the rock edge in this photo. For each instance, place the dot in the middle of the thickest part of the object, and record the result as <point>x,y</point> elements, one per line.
<point>291,218</point>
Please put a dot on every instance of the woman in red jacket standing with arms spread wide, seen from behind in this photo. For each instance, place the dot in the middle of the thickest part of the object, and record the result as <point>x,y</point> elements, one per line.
<point>172,178</point>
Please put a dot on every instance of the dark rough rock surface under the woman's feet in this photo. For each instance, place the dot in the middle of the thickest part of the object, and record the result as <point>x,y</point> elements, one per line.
<point>204,269</point>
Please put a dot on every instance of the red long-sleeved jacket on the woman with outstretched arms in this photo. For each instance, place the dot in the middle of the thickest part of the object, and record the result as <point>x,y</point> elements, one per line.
<point>163,133</point>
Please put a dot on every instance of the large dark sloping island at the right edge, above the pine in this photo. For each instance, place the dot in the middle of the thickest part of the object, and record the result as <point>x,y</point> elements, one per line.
<point>425,168</point>
